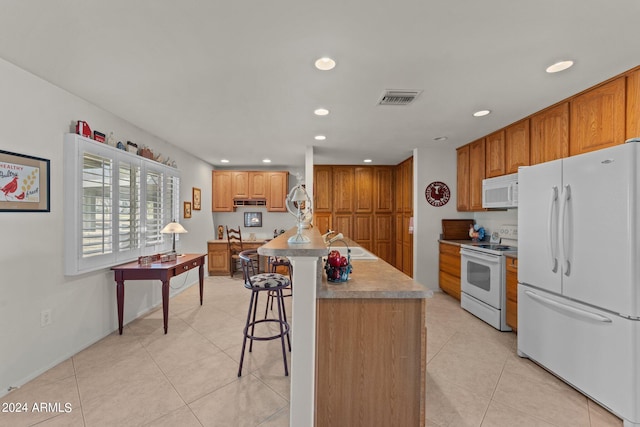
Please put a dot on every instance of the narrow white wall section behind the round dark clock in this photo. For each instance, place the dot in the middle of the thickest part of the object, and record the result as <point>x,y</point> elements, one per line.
<point>431,164</point>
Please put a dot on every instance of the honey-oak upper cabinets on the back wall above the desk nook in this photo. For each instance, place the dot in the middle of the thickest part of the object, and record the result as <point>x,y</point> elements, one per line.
<point>269,186</point>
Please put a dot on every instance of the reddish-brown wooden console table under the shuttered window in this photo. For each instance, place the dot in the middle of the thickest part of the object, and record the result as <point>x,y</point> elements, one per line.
<point>162,271</point>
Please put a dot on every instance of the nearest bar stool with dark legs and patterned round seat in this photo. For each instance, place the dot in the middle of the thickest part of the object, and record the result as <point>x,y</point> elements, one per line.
<point>263,282</point>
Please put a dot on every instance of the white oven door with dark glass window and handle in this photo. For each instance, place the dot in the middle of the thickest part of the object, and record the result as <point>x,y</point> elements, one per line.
<point>482,276</point>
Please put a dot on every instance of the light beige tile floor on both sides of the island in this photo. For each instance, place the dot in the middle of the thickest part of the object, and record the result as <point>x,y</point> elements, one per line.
<point>188,377</point>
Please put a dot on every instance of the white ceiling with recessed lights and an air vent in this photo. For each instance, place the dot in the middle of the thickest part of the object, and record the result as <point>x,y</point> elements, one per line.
<point>236,79</point>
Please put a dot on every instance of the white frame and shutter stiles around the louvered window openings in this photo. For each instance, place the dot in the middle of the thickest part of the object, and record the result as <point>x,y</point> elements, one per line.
<point>167,205</point>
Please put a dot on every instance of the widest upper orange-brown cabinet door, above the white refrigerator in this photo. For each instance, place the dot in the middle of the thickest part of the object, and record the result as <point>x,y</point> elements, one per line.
<point>598,118</point>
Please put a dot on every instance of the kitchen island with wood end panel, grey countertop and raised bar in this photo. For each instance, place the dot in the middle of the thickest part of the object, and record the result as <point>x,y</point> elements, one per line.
<point>359,355</point>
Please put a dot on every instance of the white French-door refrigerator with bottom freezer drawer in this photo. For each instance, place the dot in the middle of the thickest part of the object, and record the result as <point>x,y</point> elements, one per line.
<point>579,273</point>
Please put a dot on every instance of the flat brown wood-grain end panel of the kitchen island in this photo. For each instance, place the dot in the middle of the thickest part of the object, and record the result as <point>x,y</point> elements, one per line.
<point>371,362</point>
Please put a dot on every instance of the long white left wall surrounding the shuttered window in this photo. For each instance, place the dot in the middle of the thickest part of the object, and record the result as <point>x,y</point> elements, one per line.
<point>35,116</point>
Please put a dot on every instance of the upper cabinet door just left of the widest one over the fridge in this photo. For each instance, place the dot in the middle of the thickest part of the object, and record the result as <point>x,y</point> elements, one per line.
<point>550,134</point>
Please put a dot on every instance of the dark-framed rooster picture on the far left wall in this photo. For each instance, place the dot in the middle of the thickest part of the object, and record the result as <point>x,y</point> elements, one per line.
<point>24,183</point>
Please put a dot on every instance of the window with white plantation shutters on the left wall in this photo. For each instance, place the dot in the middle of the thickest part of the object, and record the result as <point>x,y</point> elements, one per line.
<point>116,204</point>
